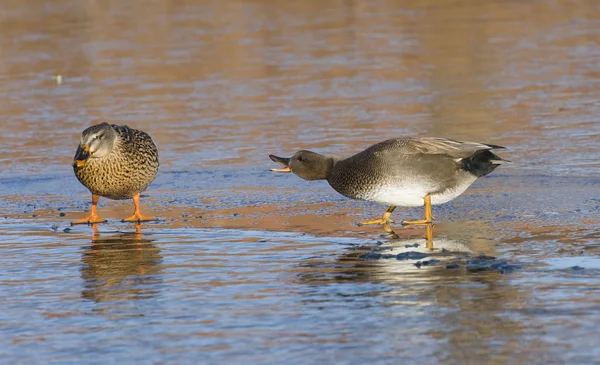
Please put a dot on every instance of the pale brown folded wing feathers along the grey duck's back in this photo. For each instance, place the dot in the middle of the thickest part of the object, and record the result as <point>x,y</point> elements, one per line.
<point>443,146</point>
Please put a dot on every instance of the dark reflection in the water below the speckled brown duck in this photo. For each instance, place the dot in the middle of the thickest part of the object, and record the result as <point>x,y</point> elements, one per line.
<point>123,266</point>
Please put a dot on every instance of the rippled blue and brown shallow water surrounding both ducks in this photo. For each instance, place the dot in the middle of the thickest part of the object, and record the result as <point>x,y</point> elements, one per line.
<point>247,266</point>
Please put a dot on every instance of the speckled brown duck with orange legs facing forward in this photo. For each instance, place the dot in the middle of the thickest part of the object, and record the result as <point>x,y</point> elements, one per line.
<point>116,162</point>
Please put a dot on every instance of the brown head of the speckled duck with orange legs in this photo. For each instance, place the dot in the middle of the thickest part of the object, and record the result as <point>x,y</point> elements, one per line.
<point>96,141</point>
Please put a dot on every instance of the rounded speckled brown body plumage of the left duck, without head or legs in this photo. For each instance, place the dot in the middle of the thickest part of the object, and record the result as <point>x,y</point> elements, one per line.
<point>127,170</point>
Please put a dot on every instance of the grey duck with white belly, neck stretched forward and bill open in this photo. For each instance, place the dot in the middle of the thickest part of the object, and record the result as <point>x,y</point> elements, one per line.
<point>402,171</point>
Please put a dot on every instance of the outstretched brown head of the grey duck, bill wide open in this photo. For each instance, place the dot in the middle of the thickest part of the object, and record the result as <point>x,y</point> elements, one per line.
<point>306,164</point>
